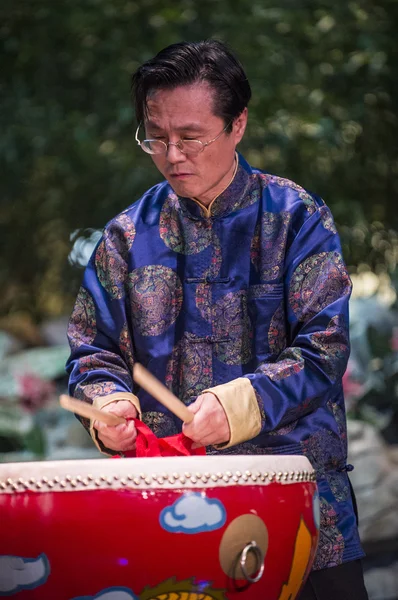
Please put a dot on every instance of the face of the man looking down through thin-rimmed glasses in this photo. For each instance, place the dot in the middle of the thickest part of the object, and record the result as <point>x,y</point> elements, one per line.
<point>187,112</point>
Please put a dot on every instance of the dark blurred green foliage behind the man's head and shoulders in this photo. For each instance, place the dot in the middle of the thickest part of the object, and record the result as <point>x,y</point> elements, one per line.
<point>324,113</point>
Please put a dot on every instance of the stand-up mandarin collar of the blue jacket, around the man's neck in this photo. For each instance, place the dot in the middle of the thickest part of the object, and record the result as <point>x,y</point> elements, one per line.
<point>230,200</point>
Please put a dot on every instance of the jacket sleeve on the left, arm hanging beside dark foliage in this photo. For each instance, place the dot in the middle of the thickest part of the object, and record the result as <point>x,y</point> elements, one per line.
<point>102,356</point>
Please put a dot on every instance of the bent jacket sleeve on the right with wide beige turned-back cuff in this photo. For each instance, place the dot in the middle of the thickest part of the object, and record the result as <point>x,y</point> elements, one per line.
<point>317,288</point>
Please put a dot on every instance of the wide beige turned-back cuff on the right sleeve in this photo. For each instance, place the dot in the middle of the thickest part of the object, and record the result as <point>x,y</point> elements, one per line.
<point>239,401</point>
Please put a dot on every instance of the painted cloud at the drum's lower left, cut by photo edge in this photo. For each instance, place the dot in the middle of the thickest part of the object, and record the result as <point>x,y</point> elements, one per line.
<point>18,573</point>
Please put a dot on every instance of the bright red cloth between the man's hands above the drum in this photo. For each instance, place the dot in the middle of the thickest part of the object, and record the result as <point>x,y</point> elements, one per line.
<point>147,444</point>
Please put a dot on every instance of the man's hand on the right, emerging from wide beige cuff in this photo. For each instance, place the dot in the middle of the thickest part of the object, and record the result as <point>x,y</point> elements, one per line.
<point>210,424</point>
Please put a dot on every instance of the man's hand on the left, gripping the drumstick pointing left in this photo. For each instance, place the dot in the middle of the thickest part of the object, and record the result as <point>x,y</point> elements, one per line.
<point>118,437</point>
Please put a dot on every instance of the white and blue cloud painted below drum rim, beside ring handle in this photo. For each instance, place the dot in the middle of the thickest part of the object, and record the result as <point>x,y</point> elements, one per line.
<point>193,513</point>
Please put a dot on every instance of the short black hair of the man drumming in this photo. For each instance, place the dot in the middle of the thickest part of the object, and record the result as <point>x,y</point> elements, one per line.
<point>186,63</point>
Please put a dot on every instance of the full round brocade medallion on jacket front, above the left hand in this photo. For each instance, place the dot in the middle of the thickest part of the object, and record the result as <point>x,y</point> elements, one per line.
<point>155,297</point>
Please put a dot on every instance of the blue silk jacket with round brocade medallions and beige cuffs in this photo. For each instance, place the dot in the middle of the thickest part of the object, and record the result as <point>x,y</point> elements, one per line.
<point>249,300</point>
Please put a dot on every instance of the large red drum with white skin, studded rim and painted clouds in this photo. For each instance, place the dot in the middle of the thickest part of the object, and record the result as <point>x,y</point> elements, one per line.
<point>178,528</point>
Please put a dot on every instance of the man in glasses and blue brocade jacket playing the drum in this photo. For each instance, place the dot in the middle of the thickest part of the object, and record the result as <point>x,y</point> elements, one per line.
<point>229,285</point>
